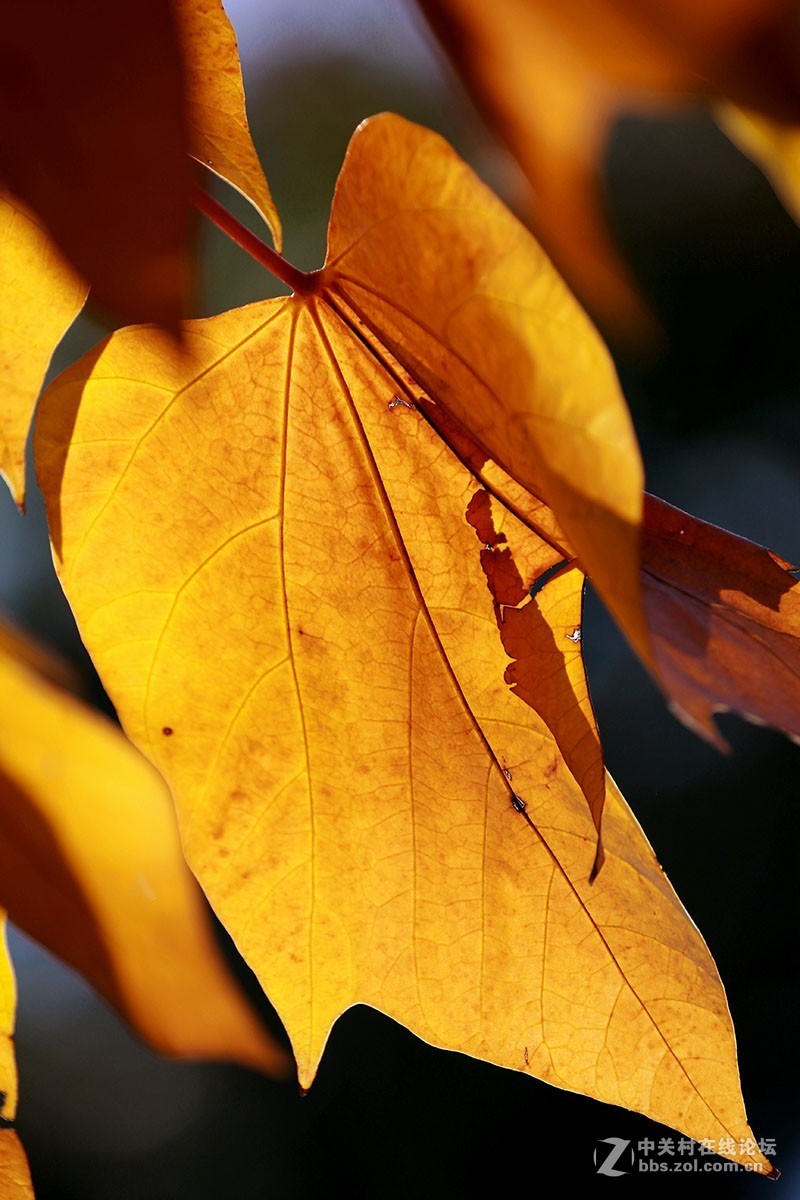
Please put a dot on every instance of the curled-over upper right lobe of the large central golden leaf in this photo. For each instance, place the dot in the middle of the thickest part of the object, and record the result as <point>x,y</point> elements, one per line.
<point>496,339</point>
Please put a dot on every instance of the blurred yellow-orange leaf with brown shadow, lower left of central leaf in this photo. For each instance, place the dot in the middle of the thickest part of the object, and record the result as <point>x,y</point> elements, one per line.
<point>92,867</point>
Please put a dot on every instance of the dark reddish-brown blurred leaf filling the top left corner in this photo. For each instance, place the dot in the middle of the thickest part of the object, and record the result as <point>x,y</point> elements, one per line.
<point>94,141</point>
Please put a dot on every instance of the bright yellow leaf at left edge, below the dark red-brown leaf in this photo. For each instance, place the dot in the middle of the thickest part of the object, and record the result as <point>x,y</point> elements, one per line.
<point>41,296</point>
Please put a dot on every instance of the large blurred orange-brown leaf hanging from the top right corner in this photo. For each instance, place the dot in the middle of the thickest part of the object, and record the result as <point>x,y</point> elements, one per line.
<point>552,76</point>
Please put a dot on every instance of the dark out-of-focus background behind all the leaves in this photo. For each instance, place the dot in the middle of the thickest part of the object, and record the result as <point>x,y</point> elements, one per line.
<point>719,424</point>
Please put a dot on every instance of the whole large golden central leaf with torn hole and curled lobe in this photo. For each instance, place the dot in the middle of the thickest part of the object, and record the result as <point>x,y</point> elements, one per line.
<point>285,575</point>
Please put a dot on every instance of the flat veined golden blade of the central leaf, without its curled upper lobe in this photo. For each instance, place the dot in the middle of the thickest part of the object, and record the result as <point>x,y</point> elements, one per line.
<point>314,628</point>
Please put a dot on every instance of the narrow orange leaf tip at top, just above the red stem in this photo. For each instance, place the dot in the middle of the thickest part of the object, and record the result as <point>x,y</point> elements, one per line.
<point>219,131</point>
